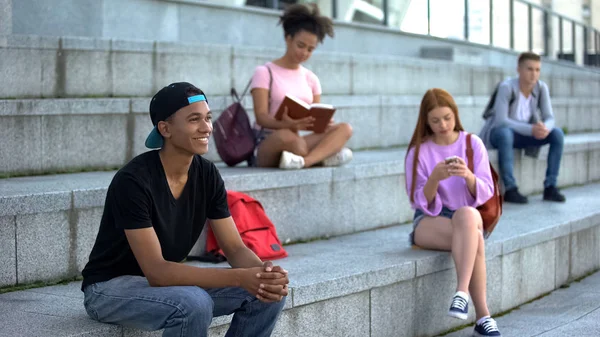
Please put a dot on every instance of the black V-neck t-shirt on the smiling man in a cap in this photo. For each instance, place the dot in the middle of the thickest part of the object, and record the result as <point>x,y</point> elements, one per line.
<point>139,197</point>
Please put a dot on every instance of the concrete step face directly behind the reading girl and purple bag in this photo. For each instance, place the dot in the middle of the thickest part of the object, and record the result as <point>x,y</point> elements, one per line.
<point>69,135</point>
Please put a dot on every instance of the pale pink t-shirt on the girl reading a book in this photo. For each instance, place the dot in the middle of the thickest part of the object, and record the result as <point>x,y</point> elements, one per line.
<point>300,82</point>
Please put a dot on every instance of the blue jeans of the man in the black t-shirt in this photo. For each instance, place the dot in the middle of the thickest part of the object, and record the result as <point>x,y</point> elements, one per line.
<point>181,310</point>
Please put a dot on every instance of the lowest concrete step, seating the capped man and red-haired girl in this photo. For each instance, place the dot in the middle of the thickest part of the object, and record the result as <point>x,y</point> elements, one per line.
<point>373,283</point>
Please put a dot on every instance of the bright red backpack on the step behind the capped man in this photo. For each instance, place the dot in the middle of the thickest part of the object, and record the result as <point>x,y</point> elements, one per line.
<point>257,231</point>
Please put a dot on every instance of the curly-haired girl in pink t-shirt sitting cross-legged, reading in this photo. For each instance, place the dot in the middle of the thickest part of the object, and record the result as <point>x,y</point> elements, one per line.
<point>280,143</point>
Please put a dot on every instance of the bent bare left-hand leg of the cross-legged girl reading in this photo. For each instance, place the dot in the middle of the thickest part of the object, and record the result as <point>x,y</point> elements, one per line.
<point>269,150</point>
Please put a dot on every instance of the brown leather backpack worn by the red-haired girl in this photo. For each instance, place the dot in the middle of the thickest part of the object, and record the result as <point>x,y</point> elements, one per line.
<point>491,210</point>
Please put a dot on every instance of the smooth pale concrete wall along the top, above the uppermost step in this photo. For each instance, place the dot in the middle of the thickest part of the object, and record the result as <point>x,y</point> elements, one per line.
<point>196,21</point>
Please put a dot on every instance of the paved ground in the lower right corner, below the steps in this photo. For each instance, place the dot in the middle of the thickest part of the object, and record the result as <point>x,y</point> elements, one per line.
<point>568,312</point>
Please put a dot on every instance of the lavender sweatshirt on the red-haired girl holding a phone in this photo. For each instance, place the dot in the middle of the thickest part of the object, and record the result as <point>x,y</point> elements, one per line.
<point>453,192</point>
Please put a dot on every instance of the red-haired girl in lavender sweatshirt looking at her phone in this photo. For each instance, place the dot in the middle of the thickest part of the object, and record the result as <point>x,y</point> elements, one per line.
<point>445,194</point>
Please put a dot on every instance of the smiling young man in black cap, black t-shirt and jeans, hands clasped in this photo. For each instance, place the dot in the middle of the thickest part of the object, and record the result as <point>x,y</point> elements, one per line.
<point>155,209</point>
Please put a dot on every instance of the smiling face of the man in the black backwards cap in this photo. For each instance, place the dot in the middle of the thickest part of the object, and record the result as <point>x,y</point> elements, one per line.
<point>188,129</point>
